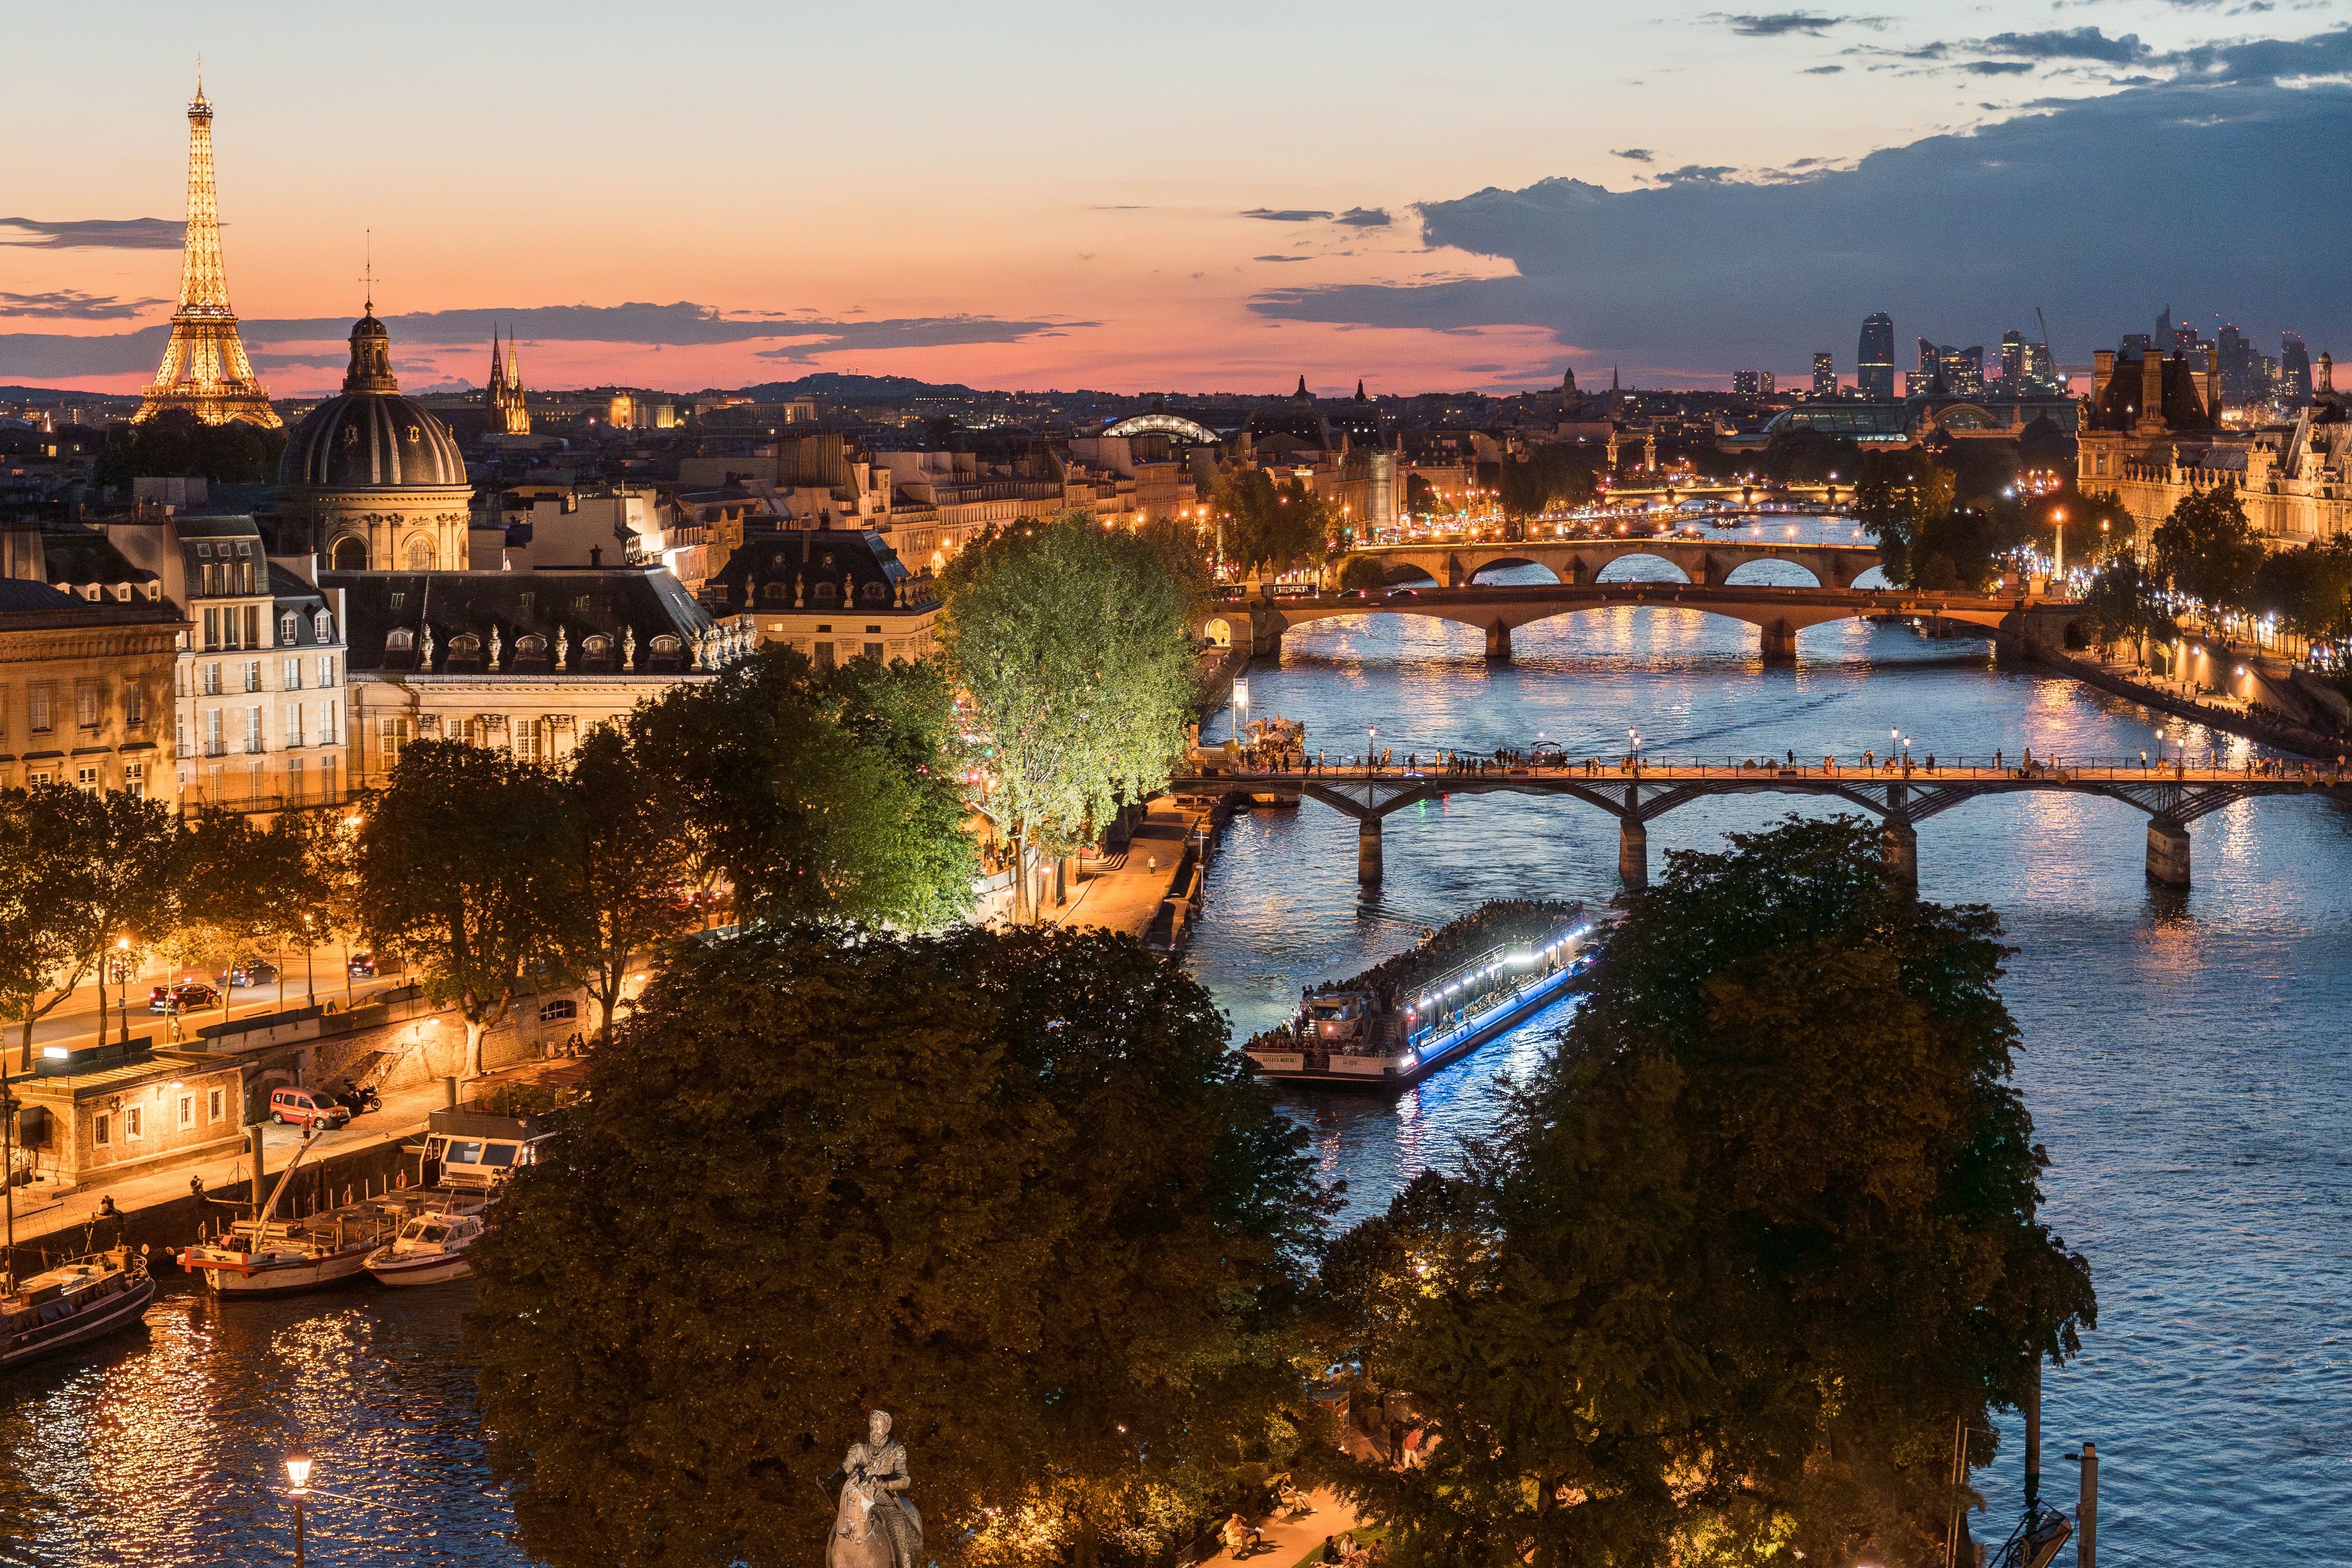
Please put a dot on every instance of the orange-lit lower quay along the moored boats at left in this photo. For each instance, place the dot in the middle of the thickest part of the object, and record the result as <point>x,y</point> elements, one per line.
<point>166,1207</point>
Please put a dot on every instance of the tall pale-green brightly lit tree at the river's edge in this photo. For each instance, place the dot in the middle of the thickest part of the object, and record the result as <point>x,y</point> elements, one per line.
<point>1074,652</point>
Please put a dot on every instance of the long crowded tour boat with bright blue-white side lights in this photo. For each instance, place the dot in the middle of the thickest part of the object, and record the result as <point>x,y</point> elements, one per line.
<point>1412,1014</point>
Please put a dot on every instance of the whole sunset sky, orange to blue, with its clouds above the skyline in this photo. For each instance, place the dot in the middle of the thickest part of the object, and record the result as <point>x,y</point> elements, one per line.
<point>1191,196</point>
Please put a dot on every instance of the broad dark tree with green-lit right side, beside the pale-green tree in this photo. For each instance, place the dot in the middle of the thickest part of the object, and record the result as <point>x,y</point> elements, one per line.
<point>817,796</point>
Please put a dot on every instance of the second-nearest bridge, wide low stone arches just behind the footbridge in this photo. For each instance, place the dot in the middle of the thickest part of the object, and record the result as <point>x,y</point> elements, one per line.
<point>1497,612</point>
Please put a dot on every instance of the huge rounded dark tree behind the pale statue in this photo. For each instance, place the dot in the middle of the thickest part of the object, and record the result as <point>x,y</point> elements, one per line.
<point>1008,1186</point>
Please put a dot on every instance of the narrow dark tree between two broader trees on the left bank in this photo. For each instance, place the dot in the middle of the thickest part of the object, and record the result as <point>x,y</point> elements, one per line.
<point>624,869</point>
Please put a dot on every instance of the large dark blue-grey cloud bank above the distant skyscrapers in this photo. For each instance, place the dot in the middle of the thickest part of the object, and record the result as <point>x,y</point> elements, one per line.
<point>2217,192</point>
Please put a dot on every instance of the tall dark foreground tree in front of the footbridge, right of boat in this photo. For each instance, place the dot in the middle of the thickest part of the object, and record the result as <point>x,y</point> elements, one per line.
<point>1744,1254</point>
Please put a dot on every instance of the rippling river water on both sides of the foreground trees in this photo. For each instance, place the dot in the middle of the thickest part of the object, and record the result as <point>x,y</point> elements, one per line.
<point>2186,1061</point>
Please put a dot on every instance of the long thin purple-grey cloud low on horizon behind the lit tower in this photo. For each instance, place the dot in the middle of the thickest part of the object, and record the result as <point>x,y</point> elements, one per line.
<point>34,356</point>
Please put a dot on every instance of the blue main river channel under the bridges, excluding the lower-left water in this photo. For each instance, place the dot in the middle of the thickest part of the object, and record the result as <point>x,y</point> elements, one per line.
<point>2184,1054</point>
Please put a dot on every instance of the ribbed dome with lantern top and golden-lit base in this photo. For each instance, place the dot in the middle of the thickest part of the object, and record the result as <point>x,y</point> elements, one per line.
<point>370,481</point>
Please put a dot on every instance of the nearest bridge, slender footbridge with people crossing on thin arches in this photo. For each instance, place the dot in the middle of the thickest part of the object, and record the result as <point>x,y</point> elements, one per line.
<point>1902,800</point>
